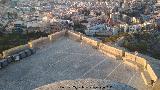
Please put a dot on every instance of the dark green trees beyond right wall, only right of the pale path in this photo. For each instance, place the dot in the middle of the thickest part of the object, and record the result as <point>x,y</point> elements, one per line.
<point>145,43</point>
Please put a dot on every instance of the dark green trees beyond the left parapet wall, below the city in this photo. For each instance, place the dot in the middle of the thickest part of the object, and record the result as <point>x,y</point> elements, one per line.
<point>8,41</point>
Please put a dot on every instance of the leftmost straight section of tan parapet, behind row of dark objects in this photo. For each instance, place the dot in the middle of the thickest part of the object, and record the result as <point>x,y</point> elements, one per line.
<point>14,50</point>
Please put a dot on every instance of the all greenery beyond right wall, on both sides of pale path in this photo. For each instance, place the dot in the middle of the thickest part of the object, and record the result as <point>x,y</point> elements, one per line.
<point>144,42</point>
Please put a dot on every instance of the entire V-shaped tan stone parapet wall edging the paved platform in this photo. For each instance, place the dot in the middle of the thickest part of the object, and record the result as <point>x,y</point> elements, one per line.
<point>141,62</point>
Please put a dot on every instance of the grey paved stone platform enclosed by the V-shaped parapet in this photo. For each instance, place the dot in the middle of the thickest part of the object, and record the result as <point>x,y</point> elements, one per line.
<point>66,59</point>
